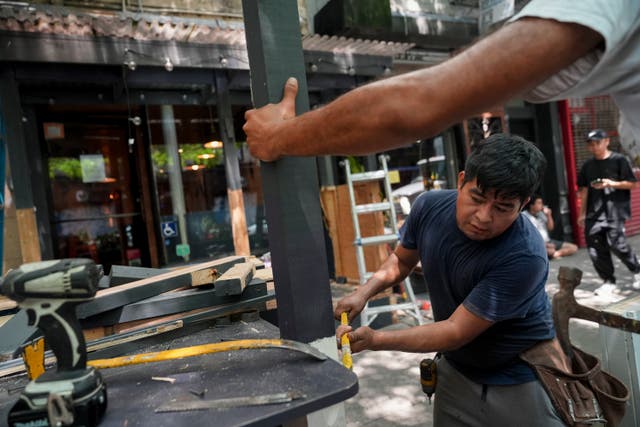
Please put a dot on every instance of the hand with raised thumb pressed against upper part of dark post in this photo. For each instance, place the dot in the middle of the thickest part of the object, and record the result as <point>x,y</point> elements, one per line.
<point>261,124</point>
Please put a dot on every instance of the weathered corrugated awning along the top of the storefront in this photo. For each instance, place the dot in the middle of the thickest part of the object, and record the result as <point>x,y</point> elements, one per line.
<point>62,35</point>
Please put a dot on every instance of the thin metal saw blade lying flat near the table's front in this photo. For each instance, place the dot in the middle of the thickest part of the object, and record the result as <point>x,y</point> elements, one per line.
<point>231,402</point>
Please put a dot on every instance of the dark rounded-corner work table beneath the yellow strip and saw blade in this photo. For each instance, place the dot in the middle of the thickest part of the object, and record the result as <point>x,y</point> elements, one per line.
<point>133,396</point>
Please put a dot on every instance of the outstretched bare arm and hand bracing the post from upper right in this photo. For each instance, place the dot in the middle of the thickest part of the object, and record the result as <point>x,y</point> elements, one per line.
<point>395,112</point>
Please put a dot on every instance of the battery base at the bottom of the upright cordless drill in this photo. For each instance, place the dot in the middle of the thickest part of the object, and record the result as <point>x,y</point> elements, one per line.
<point>63,398</point>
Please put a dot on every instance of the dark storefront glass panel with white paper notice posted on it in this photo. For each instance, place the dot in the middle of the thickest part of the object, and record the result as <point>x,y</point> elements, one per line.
<point>96,210</point>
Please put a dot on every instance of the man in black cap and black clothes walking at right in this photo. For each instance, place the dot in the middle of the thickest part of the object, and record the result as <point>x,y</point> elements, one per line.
<point>605,182</point>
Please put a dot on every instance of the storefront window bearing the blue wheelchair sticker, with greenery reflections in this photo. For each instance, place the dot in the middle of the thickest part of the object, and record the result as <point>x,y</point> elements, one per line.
<point>189,172</point>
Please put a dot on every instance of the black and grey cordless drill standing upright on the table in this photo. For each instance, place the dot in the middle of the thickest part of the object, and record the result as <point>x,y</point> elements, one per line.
<point>73,394</point>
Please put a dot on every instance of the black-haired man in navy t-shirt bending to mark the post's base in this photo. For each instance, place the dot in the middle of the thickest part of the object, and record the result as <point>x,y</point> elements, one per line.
<point>485,267</point>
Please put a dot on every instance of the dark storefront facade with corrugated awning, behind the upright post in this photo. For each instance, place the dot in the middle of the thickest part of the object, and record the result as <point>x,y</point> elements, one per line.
<point>123,128</point>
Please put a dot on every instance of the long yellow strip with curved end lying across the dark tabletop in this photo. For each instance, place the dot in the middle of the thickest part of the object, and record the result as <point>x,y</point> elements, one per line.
<point>198,350</point>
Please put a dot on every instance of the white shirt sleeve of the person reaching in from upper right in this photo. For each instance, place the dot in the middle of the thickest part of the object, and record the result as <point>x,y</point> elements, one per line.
<point>614,71</point>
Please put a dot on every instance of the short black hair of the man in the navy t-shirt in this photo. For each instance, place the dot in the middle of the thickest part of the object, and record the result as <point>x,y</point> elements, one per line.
<point>508,164</point>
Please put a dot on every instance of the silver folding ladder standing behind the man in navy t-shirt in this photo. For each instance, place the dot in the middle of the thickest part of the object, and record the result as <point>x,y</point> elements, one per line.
<point>369,313</point>
